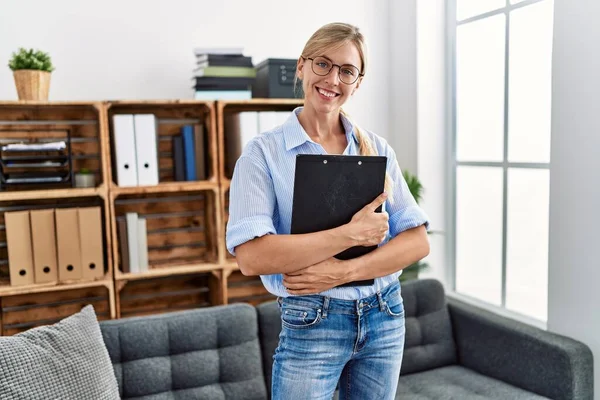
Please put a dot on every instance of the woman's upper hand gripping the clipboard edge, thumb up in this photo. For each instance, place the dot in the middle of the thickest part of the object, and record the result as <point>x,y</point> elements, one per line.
<point>367,227</point>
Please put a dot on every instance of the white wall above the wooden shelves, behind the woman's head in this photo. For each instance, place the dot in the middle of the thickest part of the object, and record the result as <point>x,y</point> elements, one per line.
<point>142,49</point>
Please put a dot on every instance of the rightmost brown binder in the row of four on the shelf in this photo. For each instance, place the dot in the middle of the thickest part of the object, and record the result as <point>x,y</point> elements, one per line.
<point>90,234</point>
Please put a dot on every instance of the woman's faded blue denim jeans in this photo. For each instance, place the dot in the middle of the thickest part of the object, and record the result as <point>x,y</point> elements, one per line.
<point>324,341</point>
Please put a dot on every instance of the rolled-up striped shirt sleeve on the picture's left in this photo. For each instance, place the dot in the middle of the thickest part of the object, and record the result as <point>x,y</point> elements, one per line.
<point>251,202</point>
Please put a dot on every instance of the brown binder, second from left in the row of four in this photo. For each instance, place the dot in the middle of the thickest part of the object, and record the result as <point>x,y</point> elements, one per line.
<point>43,239</point>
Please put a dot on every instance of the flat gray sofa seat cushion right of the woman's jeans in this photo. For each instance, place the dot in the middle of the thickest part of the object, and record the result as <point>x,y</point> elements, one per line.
<point>457,382</point>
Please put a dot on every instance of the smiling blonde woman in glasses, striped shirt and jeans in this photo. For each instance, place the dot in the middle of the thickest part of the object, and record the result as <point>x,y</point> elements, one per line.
<point>354,335</point>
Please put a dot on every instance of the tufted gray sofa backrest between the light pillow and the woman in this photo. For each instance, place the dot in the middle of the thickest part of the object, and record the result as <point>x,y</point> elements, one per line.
<point>204,353</point>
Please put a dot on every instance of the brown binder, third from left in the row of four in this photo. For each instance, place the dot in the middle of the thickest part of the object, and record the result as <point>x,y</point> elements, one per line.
<point>67,244</point>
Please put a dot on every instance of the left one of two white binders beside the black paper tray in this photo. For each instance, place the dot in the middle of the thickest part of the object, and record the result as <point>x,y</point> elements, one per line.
<point>124,135</point>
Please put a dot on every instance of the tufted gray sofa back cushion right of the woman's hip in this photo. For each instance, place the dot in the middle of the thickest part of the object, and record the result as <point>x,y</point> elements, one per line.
<point>429,341</point>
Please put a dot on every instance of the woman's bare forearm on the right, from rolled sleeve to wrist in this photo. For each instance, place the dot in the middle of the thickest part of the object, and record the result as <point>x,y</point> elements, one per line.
<point>405,249</point>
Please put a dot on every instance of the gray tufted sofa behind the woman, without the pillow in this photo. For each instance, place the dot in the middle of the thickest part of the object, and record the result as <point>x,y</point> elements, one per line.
<point>453,351</point>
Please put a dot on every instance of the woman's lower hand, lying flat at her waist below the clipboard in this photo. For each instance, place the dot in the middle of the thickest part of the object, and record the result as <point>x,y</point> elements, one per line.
<point>316,278</point>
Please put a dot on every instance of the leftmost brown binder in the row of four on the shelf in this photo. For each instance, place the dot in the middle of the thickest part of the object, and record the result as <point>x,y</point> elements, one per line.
<point>18,239</point>
